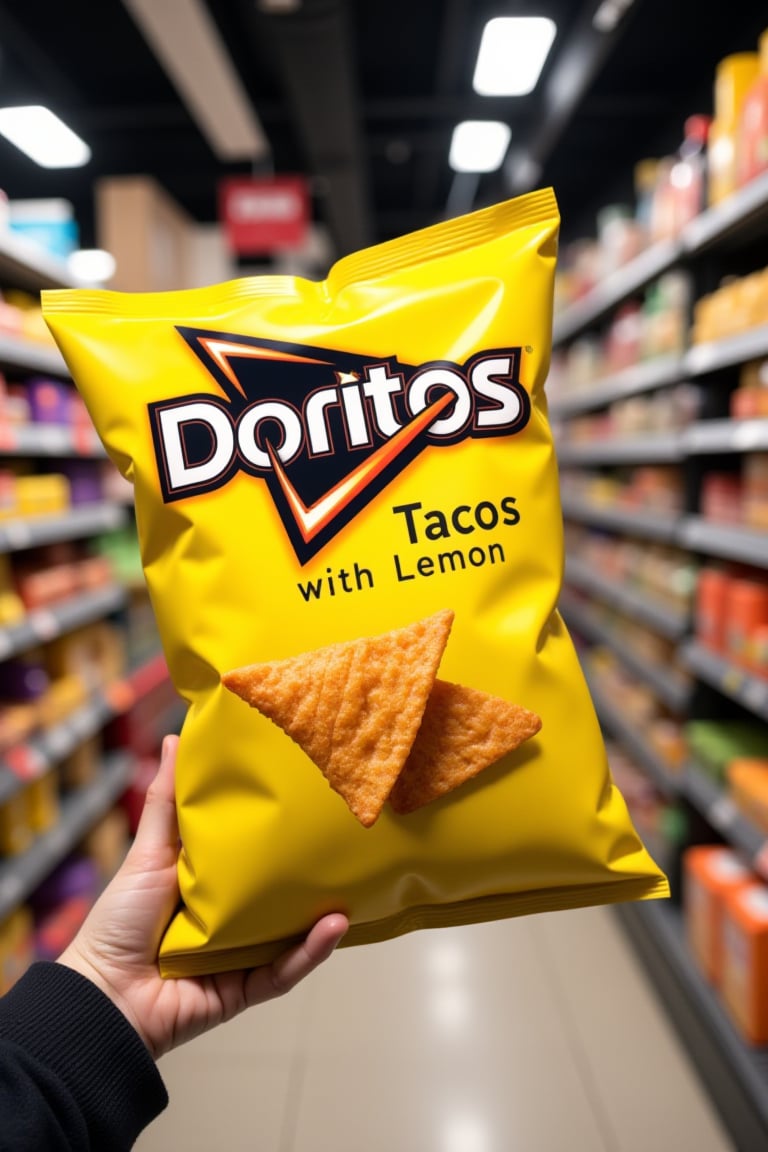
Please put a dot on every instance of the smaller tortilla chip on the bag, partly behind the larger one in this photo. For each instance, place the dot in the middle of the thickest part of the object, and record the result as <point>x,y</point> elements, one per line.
<point>463,732</point>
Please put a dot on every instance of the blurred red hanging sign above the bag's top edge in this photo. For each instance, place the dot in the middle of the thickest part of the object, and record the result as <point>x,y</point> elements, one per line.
<point>263,216</point>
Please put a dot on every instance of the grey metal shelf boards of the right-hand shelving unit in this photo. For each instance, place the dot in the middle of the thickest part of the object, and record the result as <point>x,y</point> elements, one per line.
<point>735,1073</point>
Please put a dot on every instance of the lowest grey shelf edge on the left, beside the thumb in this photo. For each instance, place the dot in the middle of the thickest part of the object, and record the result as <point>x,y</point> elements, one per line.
<point>20,876</point>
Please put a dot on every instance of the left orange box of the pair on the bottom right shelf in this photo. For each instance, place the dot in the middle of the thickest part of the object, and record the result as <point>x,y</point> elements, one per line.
<point>710,874</point>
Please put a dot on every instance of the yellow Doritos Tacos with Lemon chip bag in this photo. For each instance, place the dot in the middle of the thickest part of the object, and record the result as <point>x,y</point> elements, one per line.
<point>349,518</point>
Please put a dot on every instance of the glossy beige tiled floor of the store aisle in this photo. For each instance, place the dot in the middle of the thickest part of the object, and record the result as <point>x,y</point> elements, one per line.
<point>537,1035</point>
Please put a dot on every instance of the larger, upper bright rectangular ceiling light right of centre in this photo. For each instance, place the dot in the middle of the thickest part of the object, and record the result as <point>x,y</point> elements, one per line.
<point>512,56</point>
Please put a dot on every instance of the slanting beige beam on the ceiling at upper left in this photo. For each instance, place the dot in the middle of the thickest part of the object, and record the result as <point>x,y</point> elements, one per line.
<point>187,43</point>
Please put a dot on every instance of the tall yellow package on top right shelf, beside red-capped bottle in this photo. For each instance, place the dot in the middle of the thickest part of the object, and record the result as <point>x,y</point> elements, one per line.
<point>734,78</point>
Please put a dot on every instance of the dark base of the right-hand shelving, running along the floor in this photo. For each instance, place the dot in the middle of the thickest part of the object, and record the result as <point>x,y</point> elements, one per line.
<point>736,1075</point>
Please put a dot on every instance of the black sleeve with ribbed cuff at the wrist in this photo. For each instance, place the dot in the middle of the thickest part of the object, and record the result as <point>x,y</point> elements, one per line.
<point>75,1077</point>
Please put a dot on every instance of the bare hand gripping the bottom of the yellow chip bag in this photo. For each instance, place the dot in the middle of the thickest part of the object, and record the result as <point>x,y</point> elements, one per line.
<point>118,945</point>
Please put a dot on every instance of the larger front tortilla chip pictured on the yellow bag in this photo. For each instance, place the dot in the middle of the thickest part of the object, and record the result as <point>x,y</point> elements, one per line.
<point>354,708</point>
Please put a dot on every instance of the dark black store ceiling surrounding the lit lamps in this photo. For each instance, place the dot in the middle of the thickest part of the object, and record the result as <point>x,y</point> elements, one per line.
<point>363,96</point>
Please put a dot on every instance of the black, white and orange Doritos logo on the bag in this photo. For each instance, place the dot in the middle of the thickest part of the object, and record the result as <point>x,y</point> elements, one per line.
<point>325,430</point>
